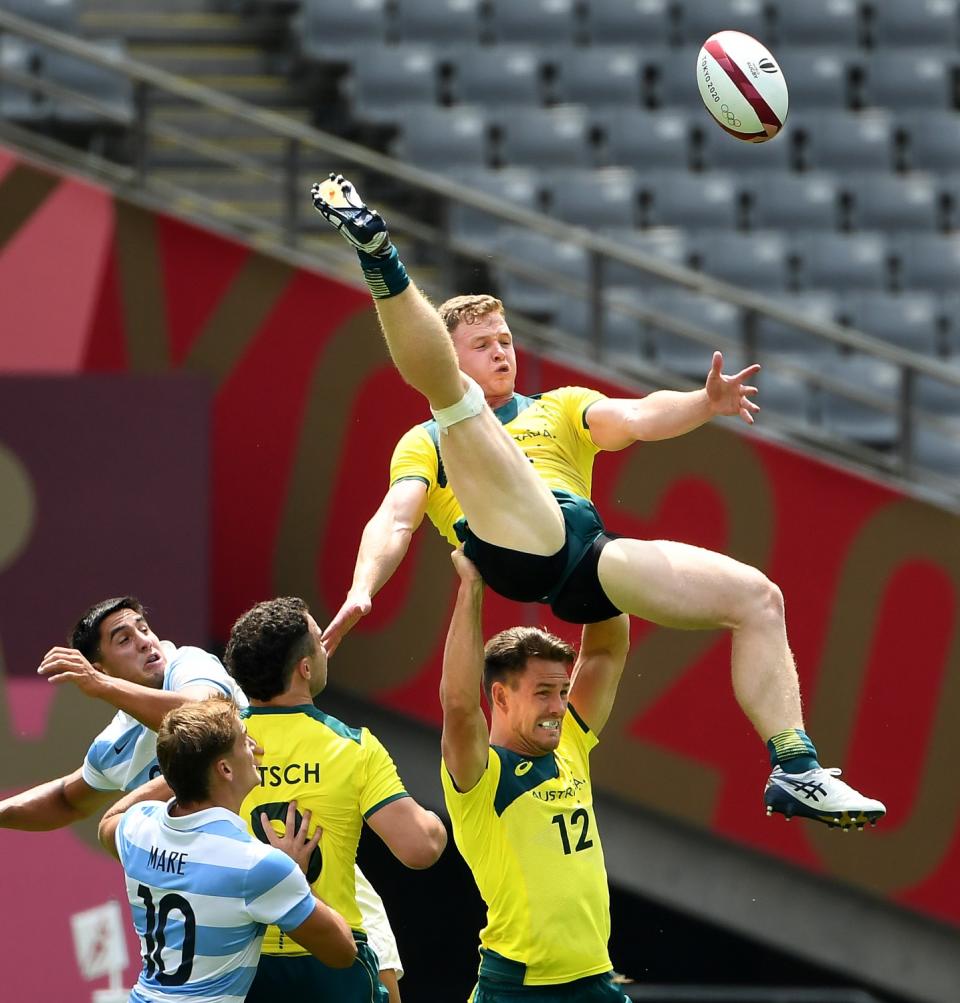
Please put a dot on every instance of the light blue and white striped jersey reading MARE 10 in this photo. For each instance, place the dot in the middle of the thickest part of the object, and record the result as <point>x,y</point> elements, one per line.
<point>202,892</point>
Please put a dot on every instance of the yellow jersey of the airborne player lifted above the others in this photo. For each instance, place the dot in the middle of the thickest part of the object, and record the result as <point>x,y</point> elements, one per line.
<point>551,429</point>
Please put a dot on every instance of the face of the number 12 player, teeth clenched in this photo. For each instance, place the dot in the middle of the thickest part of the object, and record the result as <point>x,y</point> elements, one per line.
<point>535,705</point>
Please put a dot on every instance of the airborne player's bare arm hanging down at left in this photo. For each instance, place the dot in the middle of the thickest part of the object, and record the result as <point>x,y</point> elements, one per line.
<point>386,541</point>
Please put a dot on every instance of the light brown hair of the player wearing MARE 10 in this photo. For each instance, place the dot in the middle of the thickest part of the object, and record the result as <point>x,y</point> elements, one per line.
<point>190,741</point>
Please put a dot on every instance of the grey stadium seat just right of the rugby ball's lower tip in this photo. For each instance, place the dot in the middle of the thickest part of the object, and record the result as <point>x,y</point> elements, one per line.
<point>847,141</point>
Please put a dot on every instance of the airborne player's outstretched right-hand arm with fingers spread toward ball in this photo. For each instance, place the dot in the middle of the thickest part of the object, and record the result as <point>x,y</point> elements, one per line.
<point>616,424</point>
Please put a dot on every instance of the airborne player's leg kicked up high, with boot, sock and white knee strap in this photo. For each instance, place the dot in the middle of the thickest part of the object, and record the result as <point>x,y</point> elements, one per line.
<point>505,502</point>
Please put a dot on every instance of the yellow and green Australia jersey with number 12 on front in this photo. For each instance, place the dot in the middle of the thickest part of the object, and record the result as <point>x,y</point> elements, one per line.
<point>528,834</point>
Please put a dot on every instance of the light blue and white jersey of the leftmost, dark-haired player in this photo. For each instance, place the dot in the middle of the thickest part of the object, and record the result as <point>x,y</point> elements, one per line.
<point>124,755</point>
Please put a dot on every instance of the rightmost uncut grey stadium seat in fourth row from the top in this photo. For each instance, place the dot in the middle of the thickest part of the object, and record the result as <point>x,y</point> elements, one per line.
<point>883,201</point>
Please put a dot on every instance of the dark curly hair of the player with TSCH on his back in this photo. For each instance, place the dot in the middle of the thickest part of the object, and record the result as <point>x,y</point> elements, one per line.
<point>265,645</point>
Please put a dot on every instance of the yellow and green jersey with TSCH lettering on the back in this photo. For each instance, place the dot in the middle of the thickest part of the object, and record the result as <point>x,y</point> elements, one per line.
<point>342,775</point>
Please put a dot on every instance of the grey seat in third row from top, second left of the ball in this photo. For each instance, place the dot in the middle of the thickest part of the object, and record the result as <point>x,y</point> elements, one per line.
<point>557,138</point>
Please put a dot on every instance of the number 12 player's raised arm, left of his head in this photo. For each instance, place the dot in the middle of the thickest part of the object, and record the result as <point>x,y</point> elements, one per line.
<point>466,740</point>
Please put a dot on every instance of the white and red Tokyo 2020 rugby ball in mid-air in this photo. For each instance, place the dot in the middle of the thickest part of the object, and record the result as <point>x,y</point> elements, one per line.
<point>743,87</point>
